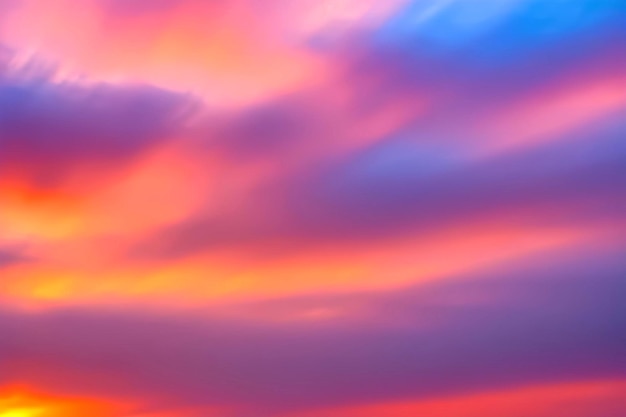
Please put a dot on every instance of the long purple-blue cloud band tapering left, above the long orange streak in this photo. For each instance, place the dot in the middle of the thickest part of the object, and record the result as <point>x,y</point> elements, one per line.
<point>400,187</point>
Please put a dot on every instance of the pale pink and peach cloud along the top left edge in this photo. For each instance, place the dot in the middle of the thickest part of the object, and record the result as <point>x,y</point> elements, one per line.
<point>190,45</point>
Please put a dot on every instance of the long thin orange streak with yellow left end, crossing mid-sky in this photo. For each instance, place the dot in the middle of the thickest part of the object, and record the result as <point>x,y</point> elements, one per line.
<point>224,275</point>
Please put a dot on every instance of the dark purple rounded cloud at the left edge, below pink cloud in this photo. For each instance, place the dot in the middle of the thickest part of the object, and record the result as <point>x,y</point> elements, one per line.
<point>50,131</point>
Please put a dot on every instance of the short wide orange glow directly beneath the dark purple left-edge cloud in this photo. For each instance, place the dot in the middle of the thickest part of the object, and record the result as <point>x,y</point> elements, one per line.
<point>133,200</point>
